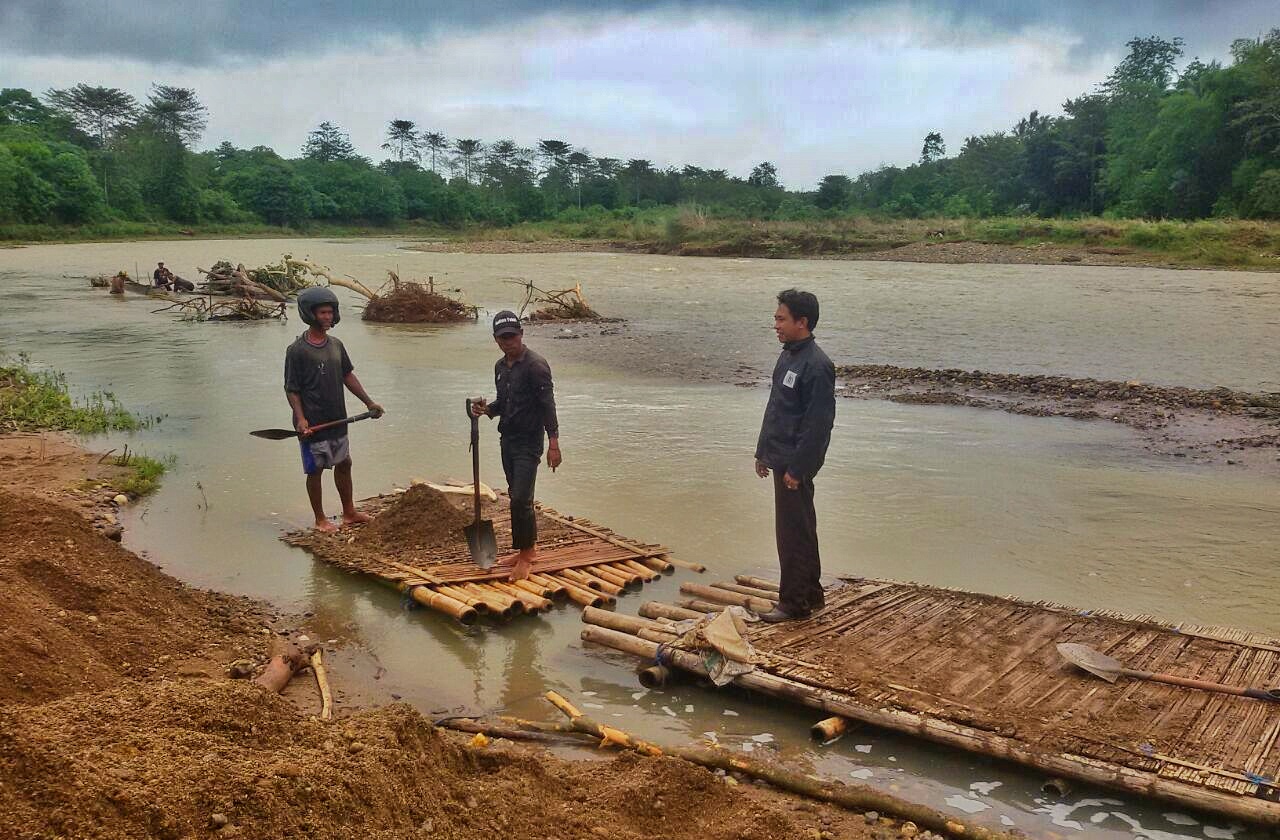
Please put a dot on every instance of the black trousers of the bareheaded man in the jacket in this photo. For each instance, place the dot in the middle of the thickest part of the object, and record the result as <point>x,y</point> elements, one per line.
<point>797,528</point>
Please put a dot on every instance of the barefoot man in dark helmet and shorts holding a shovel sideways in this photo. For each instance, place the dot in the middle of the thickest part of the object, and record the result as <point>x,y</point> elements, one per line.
<point>317,369</point>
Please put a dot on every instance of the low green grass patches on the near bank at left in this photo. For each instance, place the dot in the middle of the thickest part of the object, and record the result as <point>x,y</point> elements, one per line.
<point>40,401</point>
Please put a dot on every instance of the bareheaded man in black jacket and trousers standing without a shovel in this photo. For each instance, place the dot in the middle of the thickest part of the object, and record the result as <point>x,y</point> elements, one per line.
<point>794,440</point>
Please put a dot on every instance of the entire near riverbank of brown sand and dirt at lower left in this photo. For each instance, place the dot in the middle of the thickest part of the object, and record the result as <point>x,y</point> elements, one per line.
<point>118,718</point>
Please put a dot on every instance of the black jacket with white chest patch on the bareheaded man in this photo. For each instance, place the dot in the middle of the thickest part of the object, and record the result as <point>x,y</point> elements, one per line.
<point>802,410</point>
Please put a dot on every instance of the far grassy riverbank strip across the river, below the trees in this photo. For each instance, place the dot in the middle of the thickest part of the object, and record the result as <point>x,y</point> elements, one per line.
<point>1209,244</point>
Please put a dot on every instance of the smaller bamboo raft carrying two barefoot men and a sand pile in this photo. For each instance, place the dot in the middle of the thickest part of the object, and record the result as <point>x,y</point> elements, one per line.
<point>579,563</point>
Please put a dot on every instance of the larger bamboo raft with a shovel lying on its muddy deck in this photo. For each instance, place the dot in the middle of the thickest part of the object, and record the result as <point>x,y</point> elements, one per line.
<point>982,674</point>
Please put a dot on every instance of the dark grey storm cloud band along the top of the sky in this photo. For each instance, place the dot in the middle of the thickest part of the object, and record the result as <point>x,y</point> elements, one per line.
<point>199,33</point>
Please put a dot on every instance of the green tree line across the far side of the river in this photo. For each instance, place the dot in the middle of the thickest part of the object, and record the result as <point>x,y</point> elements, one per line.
<point>1150,141</point>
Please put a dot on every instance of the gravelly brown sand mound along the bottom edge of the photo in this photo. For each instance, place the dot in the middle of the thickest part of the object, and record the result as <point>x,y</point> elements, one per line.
<point>162,759</point>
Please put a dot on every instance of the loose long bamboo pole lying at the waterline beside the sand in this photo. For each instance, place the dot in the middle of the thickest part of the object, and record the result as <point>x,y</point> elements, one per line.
<point>852,797</point>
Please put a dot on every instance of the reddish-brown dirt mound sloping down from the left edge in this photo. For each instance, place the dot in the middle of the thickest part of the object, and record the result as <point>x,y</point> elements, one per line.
<point>80,611</point>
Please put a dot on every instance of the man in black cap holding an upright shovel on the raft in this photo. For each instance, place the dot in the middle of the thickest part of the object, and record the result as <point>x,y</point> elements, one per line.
<point>527,410</point>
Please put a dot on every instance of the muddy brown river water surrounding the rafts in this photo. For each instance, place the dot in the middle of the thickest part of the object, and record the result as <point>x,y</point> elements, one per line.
<point>659,439</point>
